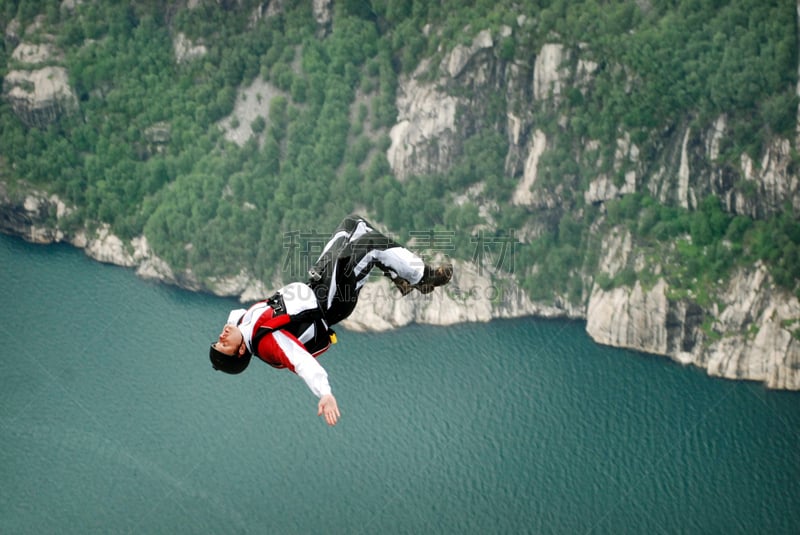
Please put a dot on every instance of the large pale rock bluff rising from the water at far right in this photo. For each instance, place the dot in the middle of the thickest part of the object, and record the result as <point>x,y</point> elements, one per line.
<point>750,339</point>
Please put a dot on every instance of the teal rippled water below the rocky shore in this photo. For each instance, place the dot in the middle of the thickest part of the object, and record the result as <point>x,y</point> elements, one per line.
<point>114,422</point>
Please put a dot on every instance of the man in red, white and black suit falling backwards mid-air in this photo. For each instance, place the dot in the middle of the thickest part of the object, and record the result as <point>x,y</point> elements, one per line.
<point>293,326</point>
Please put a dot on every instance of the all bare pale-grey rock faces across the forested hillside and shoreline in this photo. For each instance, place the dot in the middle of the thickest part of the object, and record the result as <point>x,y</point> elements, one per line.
<point>747,332</point>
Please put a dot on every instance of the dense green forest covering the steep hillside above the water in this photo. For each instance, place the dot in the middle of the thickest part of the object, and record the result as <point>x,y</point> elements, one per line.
<point>147,155</point>
